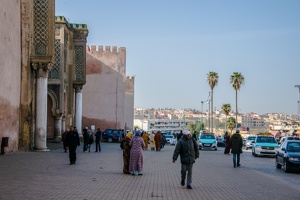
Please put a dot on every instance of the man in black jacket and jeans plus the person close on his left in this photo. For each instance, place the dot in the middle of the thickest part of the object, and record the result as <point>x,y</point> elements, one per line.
<point>235,143</point>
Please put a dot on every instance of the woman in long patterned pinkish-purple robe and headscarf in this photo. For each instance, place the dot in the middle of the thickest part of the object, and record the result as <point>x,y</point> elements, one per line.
<point>136,154</point>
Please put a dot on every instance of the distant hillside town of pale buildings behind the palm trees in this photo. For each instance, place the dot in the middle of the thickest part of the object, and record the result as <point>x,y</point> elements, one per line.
<point>174,120</point>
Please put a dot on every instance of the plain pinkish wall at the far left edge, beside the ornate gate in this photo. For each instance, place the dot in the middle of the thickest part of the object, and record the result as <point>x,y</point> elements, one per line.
<point>10,75</point>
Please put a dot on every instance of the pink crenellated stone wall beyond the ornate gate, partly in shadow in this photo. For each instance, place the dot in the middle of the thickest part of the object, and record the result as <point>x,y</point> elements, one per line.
<point>104,92</point>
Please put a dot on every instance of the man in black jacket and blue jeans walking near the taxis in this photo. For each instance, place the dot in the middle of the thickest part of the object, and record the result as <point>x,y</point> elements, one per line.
<point>236,145</point>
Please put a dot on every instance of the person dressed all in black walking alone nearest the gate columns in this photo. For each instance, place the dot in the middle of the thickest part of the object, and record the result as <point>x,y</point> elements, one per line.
<point>72,141</point>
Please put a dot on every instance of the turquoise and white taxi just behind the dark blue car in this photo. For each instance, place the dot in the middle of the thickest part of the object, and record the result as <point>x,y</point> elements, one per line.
<point>264,144</point>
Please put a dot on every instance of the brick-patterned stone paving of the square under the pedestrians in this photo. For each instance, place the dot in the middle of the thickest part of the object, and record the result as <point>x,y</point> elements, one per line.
<point>48,175</point>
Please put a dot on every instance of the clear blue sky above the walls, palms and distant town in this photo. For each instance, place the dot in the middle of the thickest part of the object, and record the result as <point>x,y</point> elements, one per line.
<point>172,45</point>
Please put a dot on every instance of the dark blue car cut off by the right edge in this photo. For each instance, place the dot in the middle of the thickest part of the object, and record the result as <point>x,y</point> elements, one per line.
<point>288,155</point>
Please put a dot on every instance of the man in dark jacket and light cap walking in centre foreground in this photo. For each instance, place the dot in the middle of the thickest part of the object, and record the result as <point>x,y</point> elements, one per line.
<point>188,149</point>
